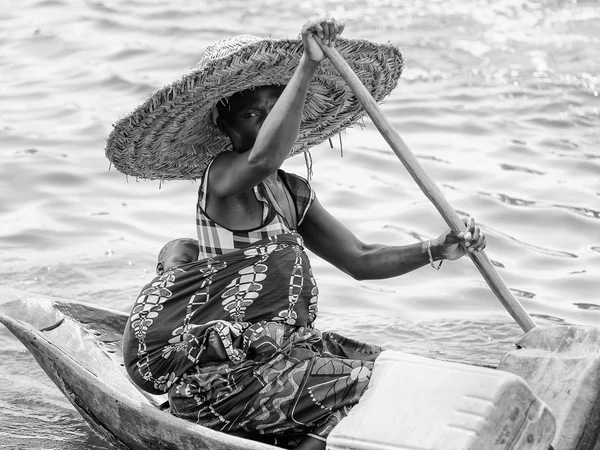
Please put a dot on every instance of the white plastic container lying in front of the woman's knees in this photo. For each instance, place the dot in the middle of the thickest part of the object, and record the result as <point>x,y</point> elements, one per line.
<point>417,403</point>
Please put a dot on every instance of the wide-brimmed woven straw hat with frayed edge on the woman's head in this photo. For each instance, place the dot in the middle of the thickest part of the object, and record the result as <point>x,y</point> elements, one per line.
<point>172,134</point>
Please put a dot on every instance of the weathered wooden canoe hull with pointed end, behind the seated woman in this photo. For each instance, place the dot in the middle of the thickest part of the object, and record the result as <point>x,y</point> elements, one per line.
<point>79,346</point>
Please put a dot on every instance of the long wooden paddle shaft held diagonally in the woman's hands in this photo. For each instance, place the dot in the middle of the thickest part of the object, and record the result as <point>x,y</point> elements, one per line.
<point>427,185</point>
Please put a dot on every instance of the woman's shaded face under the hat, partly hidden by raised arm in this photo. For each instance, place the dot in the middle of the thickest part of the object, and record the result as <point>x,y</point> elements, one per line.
<point>244,113</point>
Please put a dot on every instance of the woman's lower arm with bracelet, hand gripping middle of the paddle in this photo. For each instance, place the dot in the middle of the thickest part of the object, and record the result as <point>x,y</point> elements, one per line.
<point>325,236</point>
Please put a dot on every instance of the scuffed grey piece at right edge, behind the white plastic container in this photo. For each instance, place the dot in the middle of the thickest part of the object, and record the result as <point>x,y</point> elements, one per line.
<point>562,366</point>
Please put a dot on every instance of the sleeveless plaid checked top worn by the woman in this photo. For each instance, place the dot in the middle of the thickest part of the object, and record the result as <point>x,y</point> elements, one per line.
<point>215,239</point>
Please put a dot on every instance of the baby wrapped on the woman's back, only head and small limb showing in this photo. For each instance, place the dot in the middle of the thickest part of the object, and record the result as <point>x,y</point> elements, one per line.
<point>177,253</point>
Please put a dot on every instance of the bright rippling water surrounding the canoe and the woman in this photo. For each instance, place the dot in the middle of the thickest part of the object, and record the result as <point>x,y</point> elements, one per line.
<point>499,101</point>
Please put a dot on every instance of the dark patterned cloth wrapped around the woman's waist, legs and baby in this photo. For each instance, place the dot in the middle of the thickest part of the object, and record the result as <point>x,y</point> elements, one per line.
<point>282,376</point>
